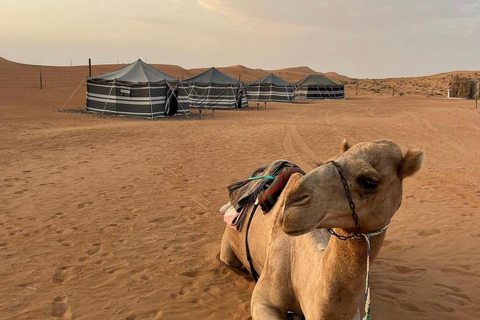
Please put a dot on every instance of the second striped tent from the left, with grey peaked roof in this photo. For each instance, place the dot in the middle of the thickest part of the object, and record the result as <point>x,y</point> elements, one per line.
<point>213,89</point>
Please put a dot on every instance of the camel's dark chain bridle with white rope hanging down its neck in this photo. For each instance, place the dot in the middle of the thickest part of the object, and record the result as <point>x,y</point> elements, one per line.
<point>358,235</point>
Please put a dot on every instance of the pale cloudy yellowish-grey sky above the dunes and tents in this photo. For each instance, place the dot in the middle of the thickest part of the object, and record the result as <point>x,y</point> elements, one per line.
<point>364,39</point>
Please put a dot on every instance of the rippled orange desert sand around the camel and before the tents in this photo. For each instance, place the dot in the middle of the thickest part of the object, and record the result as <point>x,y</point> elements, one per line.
<point>106,218</point>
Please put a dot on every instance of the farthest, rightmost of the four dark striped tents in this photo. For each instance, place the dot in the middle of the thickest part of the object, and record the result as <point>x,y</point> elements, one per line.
<point>317,86</point>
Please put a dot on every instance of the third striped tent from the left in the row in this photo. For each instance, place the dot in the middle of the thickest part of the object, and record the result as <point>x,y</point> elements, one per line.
<point>271,88</point>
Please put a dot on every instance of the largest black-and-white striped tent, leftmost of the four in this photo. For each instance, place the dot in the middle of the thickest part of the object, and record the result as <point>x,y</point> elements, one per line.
<point>136,90</point>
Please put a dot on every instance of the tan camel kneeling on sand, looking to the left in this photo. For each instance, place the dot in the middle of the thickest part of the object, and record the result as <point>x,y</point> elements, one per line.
<point>302,268</point>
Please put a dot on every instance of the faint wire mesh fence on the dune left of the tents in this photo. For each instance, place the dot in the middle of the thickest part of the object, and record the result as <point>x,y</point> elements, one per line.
<point>51,77</point>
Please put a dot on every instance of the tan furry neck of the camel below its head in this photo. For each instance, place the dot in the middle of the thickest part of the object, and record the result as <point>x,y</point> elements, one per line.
<point>345,266</point>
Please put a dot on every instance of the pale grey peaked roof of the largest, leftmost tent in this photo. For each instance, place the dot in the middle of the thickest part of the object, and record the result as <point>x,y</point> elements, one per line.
<point>137,72</point>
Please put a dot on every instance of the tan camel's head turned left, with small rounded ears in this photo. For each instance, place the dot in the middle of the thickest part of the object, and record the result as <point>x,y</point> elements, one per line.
<point>374,172</point>
